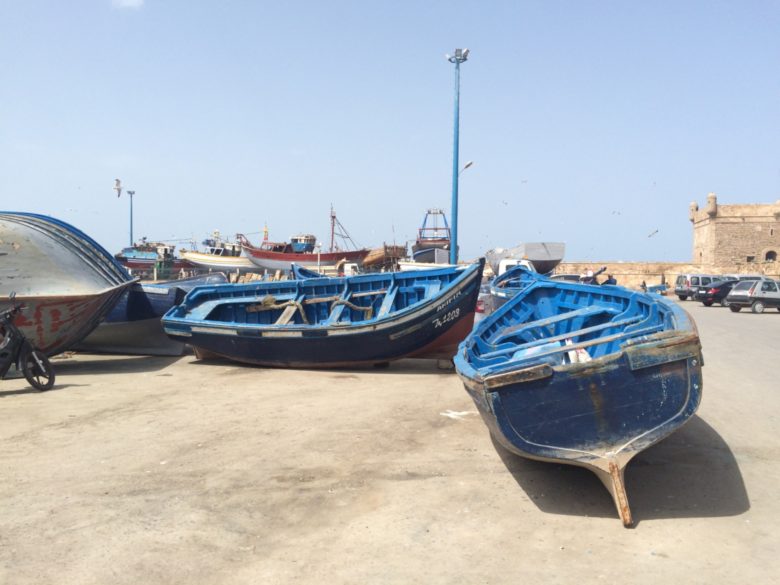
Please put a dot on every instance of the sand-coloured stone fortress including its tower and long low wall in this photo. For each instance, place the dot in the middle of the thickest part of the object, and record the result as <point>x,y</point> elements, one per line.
<point>727,239</point>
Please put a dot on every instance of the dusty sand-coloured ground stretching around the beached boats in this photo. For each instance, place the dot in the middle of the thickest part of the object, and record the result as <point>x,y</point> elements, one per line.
<point>157,470</point>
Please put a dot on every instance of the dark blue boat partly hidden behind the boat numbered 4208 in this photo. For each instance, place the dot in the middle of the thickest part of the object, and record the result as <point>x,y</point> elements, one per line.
<point>133,326</point>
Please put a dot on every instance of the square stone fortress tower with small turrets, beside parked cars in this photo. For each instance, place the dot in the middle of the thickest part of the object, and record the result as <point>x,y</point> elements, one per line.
<point>735,238</point>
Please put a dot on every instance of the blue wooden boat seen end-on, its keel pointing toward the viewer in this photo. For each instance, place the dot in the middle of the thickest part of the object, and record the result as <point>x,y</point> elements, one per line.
<point>585,375</point>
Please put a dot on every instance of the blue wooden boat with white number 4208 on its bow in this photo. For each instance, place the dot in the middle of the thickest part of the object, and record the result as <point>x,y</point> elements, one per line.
<point>332,322</point>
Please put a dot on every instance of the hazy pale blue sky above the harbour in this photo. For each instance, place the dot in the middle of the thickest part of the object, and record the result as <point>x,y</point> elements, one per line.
<point>593,123</point>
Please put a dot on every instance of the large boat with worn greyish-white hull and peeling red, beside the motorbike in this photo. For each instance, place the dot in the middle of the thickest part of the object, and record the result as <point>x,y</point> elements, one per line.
<point>66,280</point>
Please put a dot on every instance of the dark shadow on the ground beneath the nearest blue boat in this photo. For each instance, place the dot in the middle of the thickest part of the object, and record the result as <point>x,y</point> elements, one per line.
<point>690,474</point>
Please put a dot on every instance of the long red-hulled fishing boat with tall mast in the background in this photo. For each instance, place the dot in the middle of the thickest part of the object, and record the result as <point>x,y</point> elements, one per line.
<point>302,250</point>
